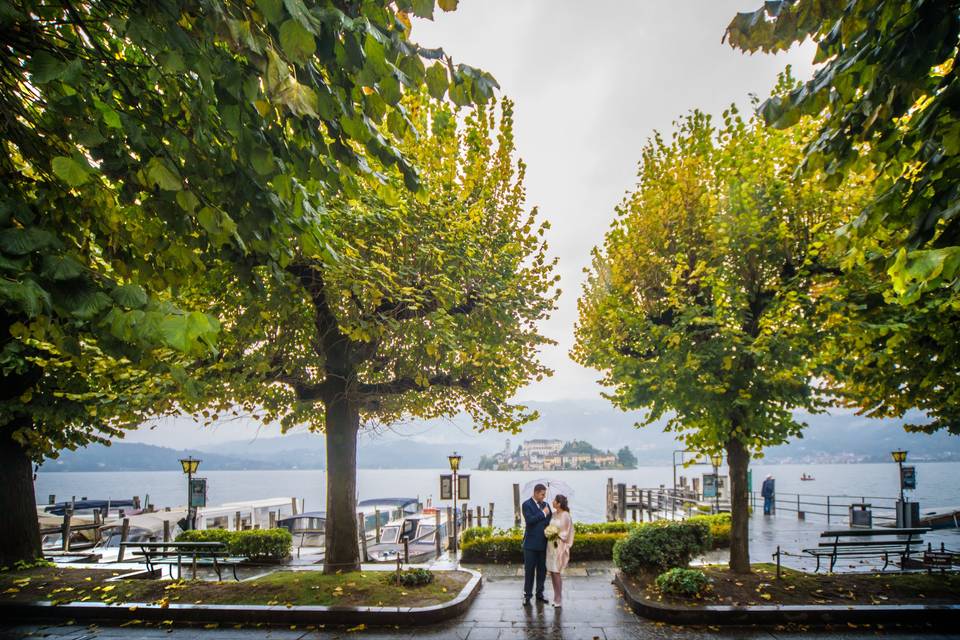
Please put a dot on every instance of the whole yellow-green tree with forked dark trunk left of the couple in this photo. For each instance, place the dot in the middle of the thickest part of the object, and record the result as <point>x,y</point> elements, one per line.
<point>425,304</point>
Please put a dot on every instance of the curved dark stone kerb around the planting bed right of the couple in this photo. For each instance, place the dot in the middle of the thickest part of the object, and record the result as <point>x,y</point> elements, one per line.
<point>919,614</point>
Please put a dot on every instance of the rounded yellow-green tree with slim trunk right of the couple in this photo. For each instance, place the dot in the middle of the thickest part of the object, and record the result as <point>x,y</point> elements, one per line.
<point>698,306</point>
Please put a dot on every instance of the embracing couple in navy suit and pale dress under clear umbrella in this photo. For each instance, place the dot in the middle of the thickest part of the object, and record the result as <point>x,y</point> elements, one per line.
<point>547,538</point>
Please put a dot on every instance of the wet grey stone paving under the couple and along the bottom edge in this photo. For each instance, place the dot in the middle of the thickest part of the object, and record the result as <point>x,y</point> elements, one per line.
<point>593,609</point>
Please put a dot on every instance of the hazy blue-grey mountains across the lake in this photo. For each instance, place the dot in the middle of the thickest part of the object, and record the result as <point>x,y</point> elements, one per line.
<point>837,437</point>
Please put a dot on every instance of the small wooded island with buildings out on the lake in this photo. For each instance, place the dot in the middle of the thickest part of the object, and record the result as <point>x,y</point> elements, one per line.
<point>552,455</point>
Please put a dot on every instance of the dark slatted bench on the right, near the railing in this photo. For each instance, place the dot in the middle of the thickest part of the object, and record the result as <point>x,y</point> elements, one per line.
<point>868,543</point>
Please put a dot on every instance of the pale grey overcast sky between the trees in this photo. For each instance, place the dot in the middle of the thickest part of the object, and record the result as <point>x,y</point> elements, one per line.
<point>591,82</point>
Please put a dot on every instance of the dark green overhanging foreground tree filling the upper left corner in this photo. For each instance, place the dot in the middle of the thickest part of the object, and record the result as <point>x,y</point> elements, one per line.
<point>144,141</point>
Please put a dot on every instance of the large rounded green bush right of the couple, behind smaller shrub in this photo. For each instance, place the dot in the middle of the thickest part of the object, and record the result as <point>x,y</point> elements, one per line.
<point>659,546</point>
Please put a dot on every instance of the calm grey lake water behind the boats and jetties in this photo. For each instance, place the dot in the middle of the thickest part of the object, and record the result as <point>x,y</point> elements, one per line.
<point>938,484</point>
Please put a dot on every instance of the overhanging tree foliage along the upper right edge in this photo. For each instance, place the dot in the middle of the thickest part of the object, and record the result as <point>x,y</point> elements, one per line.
<point>888,93</point>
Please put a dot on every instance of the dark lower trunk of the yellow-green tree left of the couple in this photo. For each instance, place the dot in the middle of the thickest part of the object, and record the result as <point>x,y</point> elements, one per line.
<point>342,536</point>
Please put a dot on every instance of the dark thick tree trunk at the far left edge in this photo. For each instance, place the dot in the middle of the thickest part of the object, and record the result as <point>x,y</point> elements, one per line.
<point>18,506</point>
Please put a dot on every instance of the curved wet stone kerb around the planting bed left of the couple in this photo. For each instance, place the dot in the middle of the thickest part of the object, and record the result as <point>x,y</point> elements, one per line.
<point>83,612</point>
